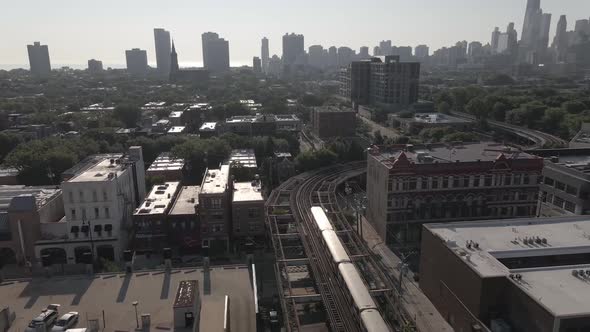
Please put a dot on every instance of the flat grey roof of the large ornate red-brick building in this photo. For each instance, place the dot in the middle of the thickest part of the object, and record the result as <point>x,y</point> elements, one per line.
<point>449,153</point>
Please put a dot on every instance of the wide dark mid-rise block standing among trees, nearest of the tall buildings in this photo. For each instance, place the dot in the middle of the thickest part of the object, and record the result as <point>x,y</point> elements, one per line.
<point>382,81</point>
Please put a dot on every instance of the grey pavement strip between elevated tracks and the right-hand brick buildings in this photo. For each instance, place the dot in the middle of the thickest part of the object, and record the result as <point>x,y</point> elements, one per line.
<point>416,303</point>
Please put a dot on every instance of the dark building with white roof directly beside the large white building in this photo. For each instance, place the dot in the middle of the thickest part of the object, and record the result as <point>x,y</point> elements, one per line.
<point>150,228</point>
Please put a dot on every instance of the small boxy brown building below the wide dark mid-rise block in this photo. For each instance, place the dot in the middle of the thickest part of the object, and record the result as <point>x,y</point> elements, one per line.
<point>332,121</point>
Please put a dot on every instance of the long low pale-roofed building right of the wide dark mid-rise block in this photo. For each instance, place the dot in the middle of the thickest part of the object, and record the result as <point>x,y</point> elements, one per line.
<point>419,121</point>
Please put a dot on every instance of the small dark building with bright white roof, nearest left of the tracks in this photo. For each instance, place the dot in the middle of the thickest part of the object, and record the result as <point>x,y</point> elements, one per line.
<point>248,212</point>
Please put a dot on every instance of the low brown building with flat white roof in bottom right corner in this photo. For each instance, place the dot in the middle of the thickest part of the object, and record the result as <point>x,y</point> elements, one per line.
<point>512,275</point>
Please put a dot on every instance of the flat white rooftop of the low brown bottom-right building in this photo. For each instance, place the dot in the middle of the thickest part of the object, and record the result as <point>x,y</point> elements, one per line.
<point>554,287</point>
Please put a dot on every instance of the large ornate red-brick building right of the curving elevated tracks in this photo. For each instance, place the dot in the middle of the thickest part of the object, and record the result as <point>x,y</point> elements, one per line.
<point>408,186</point>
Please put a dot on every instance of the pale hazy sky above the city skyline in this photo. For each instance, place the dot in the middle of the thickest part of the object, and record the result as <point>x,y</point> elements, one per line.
<point>77,30</point>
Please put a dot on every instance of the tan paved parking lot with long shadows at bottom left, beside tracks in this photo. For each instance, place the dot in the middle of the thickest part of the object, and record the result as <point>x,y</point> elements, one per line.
<point>110,296</point>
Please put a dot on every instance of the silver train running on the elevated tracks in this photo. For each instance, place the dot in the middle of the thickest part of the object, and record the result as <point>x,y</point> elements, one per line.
<point>365,307</point>
